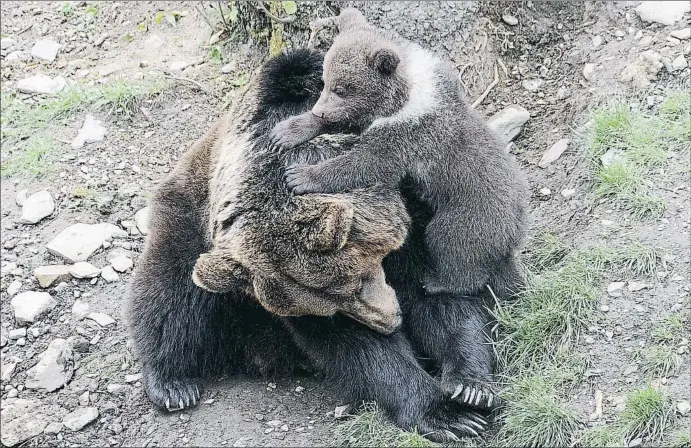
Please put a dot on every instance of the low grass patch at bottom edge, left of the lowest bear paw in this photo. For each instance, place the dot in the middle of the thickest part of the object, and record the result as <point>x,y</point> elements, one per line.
<point>371,428</point>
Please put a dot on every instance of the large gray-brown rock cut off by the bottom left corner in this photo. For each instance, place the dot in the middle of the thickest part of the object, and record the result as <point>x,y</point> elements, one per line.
<point>22,420</point>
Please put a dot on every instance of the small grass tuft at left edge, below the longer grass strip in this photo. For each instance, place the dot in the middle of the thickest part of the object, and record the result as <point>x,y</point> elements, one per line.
<point>35,160</point>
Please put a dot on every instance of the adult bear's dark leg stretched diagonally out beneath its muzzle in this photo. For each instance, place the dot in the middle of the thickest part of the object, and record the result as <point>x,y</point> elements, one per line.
<point>366,366</point>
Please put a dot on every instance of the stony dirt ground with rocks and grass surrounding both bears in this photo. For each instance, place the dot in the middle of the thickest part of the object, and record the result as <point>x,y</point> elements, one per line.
<point>100,98</point>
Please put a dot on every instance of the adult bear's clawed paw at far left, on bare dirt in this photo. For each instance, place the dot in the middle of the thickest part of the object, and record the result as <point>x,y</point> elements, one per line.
<point>172,395</point>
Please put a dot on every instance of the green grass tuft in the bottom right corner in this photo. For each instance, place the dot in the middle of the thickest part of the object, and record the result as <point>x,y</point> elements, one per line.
<point>648,415</point>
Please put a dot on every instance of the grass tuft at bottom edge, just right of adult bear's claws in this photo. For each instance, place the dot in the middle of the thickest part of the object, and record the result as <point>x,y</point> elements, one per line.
<point>534,416</point>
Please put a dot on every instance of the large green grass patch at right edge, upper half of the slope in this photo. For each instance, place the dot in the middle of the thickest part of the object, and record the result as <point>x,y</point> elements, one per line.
<point>644,141</point>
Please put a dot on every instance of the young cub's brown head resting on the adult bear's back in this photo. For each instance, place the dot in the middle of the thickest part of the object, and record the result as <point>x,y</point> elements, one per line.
<point>362,79</point>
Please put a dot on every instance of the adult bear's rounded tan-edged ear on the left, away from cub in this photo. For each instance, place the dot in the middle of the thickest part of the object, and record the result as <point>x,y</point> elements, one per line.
<point>218,272</point>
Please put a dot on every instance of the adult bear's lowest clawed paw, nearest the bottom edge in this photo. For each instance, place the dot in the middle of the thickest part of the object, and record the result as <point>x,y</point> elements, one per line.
<point>449,421</point>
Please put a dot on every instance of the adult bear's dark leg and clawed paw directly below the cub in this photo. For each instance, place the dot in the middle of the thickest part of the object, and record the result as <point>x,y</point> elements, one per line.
<point>454,331</point>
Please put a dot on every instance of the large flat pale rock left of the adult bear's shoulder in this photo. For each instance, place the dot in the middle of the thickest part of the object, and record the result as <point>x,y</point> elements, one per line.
<point>79,241</point>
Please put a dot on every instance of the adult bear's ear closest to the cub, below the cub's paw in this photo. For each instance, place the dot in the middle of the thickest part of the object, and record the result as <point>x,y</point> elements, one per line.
<point>322,223</point>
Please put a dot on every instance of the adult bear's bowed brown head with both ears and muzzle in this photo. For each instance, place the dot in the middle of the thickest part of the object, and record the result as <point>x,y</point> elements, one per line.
<point>328,260</point>
